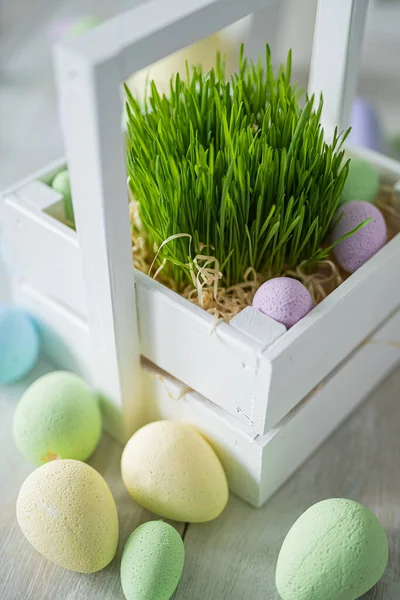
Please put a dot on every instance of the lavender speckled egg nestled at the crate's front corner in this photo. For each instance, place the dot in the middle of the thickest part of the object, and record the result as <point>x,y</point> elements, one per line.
<point>283,299</point>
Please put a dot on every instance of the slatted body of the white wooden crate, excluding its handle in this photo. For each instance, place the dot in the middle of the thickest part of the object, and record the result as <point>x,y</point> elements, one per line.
<point>259,449</point>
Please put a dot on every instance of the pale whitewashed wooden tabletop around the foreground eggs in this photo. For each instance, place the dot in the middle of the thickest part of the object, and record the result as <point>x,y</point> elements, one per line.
<point>234,557</point>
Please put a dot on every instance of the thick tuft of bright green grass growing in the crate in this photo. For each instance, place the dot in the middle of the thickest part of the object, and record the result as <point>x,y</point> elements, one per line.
<point>241,166</point>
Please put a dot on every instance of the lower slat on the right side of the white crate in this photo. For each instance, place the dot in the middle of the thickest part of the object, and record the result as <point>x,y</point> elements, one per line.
<point>299,434</point>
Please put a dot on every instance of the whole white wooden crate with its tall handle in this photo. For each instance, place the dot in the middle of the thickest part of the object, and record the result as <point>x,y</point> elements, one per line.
<point>258,398</point>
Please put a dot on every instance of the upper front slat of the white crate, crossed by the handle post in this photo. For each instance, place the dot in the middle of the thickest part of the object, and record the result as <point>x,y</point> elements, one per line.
<point>179,337</point>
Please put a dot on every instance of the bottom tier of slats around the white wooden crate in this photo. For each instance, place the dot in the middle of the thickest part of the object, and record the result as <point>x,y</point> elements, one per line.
<point>256,466</point>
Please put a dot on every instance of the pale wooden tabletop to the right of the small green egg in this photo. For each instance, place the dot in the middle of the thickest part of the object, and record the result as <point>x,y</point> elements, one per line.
<point>234,557</point>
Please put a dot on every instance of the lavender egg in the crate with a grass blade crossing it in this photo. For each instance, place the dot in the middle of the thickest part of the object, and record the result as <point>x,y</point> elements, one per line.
<point>355,250</point>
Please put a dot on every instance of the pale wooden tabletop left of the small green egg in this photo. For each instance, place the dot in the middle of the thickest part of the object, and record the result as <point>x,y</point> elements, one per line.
<point>25,574</point>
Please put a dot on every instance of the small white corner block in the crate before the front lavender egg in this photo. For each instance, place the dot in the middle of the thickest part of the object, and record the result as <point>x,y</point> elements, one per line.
<point>261,328</point>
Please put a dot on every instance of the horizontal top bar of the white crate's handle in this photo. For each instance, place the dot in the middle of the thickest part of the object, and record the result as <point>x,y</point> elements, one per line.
<point>137,38</point>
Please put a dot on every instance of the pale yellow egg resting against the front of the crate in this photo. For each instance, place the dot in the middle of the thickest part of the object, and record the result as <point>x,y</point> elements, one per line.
<point>170,469</point>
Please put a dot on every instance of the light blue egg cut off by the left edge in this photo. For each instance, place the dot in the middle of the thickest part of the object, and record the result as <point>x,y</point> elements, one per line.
<point>19,344</point>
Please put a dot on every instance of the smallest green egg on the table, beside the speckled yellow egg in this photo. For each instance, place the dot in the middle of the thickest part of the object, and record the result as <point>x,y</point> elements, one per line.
<point>152,562</point>
